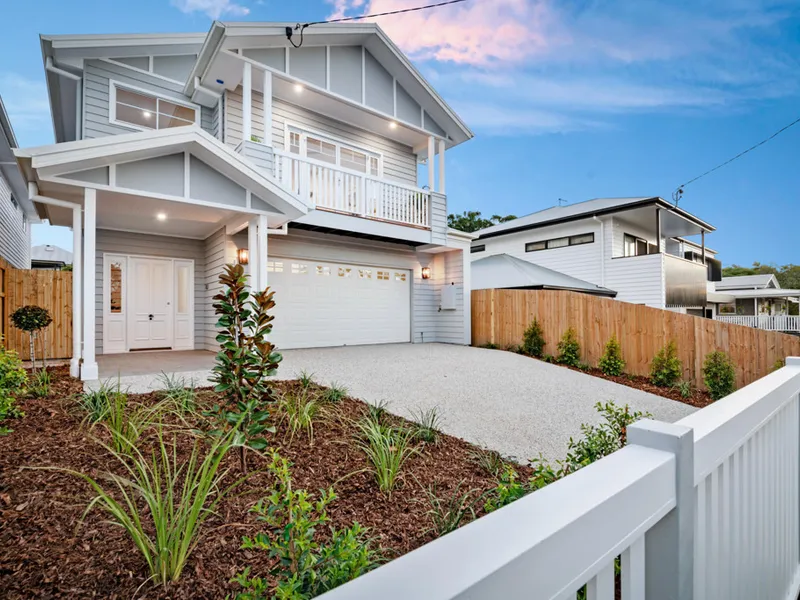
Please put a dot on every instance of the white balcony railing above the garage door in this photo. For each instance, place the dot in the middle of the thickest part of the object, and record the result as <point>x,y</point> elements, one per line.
<point>354,193</point>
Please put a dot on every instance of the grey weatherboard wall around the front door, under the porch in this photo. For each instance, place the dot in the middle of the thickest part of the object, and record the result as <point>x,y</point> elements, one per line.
<point>156,246</point>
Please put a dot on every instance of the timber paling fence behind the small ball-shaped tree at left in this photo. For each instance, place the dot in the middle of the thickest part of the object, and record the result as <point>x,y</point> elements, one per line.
<point>46,288</point>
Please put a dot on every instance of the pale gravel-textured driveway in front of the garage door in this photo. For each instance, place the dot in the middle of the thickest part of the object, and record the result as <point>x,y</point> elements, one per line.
<point>507,402</point>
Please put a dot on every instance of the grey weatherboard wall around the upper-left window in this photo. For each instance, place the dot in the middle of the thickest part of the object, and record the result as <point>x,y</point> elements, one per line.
<point>96,102</point>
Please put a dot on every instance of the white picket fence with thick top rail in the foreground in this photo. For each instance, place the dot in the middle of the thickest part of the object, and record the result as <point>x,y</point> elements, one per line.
<point>706,508</point>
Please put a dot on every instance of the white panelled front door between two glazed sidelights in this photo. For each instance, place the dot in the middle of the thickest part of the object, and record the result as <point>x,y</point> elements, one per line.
<point>151,310</point>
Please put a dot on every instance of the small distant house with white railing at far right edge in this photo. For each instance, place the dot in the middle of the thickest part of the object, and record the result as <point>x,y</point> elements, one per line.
<point>758,301</point>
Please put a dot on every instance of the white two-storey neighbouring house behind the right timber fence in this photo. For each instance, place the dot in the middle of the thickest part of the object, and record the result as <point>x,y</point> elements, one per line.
<point>634,247</point>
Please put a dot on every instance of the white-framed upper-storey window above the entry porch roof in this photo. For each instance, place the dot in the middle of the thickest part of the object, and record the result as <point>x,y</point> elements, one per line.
<point>146,111</point>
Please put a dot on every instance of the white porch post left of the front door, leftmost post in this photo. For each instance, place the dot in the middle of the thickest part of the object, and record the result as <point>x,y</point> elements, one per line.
<point>89,369</point>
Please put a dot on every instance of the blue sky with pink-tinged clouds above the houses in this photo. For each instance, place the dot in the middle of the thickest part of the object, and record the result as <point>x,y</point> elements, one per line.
<point>573,99</point>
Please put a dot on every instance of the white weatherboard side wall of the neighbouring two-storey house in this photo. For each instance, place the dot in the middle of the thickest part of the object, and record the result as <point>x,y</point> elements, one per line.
<point>582,261</point>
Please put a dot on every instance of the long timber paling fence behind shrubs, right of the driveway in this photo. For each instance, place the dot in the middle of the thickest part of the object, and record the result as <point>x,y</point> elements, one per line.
<point>501,316</point>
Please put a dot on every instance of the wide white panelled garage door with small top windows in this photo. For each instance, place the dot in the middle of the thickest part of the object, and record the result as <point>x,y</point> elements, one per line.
<point>322,304</point>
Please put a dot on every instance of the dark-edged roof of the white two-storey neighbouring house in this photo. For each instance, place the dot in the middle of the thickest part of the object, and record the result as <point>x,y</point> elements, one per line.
<point>582,210</point>
